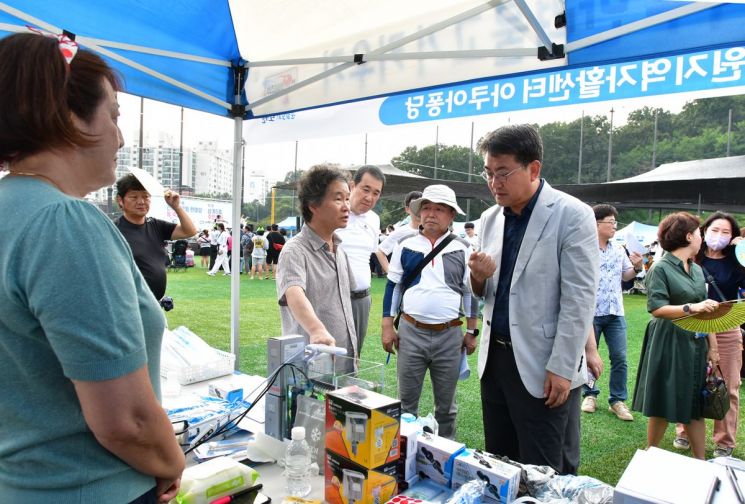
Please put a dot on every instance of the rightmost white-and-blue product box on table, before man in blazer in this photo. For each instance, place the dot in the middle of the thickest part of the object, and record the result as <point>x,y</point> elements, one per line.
<point>502,479</point>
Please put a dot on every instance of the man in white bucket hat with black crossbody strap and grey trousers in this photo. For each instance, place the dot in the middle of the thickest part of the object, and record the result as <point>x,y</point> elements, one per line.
<point>430,335</point>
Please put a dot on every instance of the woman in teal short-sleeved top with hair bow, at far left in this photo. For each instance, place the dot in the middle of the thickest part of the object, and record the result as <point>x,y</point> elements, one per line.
<point>80,331</point>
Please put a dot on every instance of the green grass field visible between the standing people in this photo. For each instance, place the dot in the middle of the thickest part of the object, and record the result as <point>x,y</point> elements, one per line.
<point>202,304</point>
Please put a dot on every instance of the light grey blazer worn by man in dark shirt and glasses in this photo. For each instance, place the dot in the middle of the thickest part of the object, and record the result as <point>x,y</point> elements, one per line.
<point>552,294</point>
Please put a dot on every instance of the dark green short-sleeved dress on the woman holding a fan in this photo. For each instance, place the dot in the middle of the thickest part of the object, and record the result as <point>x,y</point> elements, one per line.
<point>672,366</point>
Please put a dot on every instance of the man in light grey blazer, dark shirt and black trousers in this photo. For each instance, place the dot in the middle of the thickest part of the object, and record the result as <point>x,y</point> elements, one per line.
<point>538,272</point>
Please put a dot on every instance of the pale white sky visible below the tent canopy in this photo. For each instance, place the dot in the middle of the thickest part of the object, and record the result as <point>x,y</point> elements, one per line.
<point>274,160</point>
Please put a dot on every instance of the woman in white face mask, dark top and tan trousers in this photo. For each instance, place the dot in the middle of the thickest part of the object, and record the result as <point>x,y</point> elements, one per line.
<point>717,257</point>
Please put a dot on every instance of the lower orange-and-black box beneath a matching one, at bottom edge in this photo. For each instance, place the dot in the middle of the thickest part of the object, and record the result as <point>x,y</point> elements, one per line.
<point>349,483</point>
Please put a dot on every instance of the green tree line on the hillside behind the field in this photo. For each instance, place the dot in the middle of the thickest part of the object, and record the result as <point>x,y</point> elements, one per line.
<point>699,131</point>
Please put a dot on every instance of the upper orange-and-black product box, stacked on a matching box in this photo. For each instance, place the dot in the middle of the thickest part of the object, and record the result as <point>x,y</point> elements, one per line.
<point>363,426</point>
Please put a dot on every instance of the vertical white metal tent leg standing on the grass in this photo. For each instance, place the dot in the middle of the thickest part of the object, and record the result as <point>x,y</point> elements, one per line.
<point>235,260</point>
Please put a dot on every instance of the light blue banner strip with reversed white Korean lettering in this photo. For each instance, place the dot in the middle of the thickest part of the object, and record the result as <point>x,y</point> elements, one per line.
<point>719,68</point>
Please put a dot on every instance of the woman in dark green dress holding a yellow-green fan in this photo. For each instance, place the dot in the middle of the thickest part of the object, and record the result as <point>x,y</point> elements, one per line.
<point>673,361</point>
